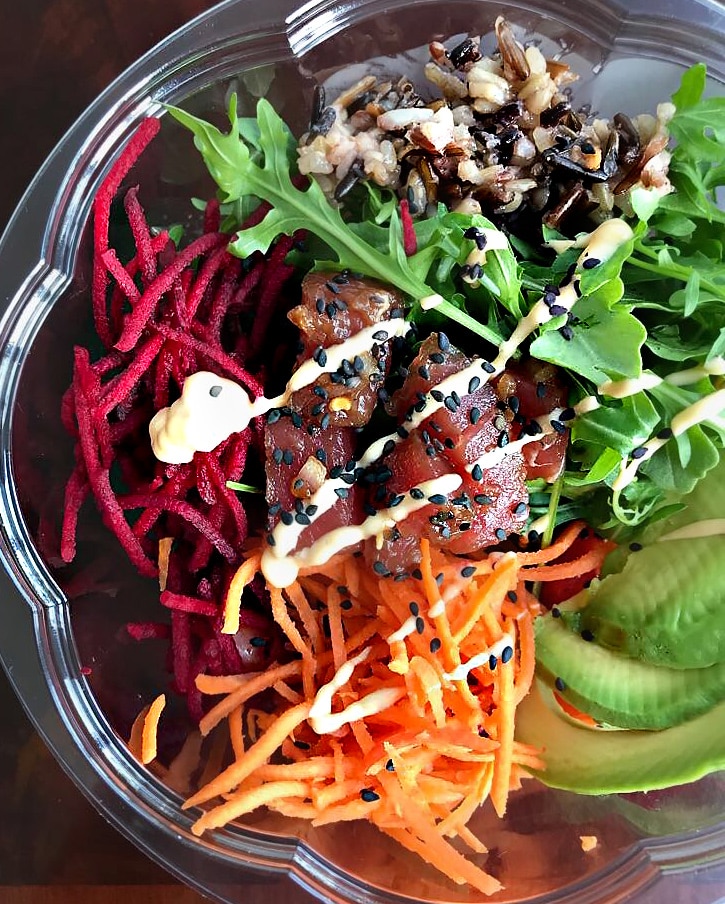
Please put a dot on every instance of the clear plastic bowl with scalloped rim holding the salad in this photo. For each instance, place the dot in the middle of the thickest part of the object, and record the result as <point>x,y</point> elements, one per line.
<point>58,621</point>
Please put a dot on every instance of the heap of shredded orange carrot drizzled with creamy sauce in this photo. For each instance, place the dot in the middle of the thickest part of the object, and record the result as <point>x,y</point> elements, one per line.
<point>380,715</point>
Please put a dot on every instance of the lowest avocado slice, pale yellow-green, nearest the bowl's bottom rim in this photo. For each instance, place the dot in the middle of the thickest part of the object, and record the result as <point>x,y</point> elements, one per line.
<point>601,762</point>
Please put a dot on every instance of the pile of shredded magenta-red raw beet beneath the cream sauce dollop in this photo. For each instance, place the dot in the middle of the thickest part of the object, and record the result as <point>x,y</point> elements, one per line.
<point>161,316</point>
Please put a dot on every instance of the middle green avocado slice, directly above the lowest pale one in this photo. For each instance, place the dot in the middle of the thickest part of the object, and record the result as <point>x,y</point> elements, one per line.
<point>620,691</point>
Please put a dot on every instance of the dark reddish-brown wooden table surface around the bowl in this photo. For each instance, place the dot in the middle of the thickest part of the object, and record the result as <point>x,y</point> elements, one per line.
<point>54,848</point>
